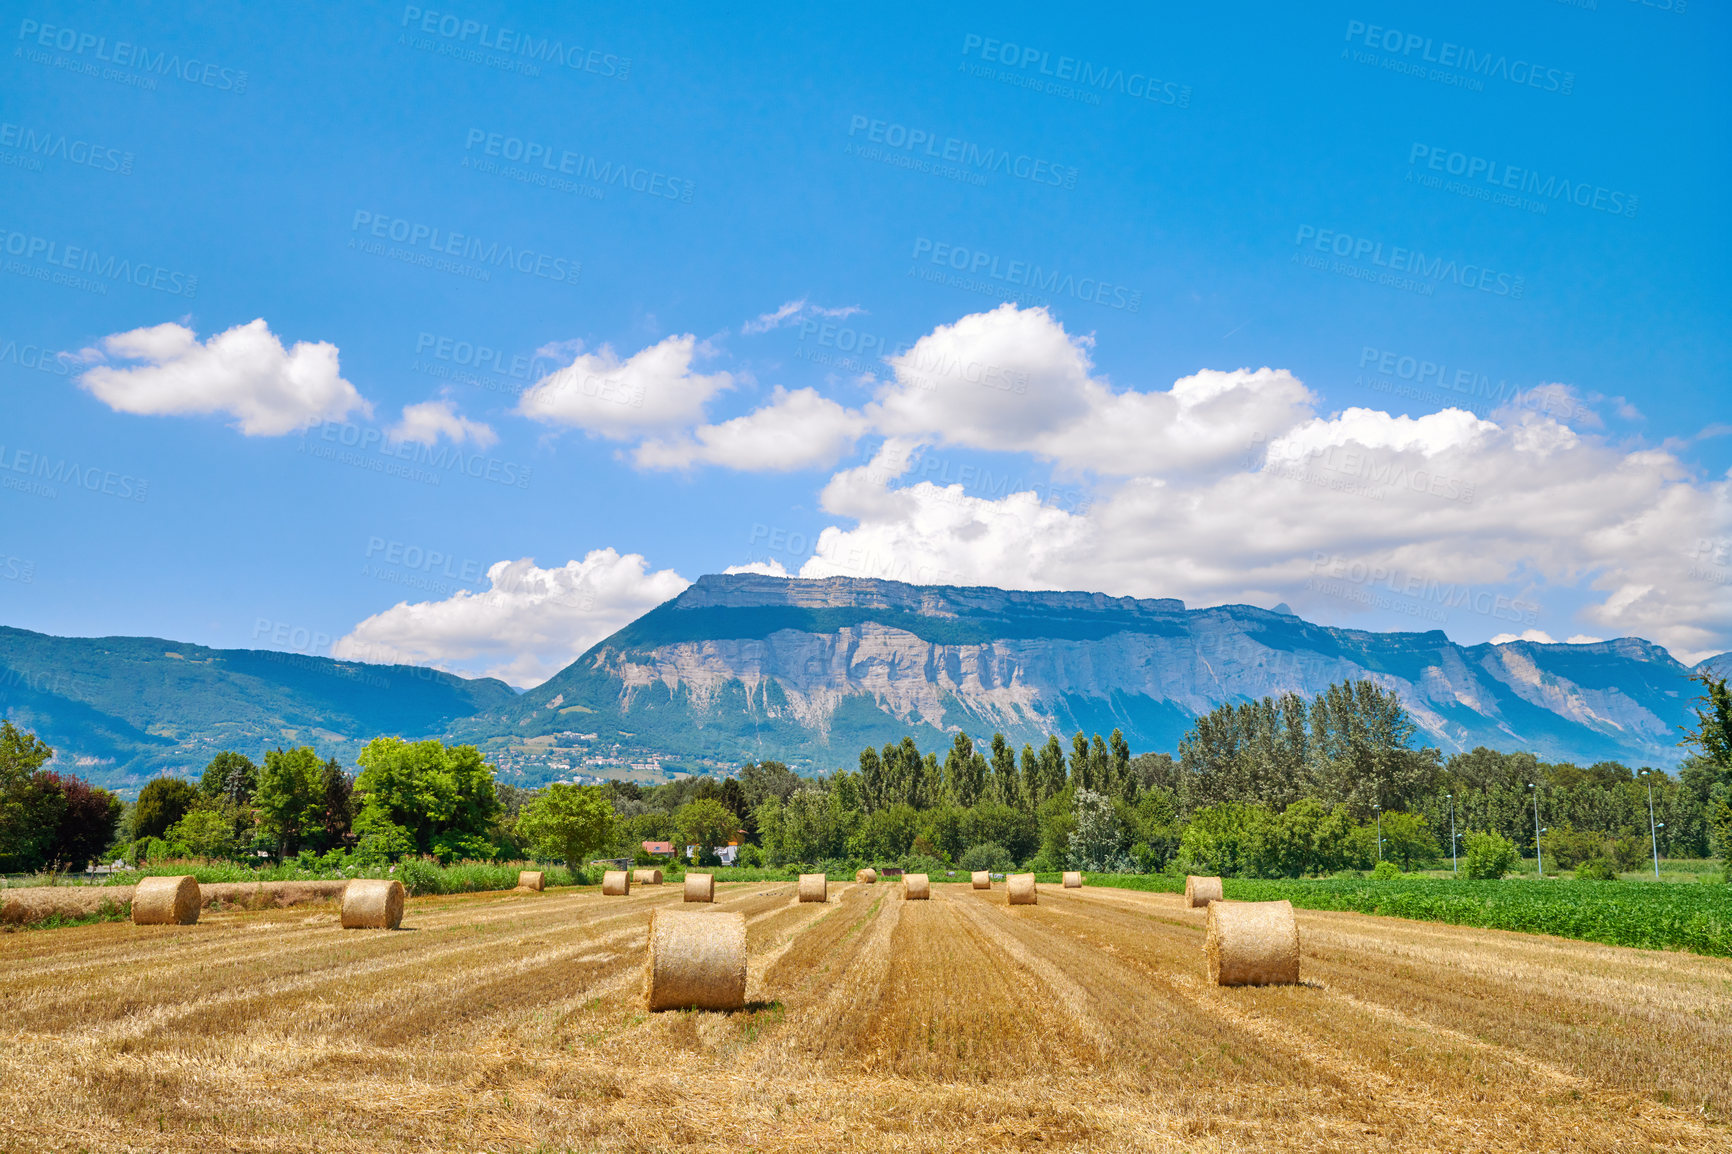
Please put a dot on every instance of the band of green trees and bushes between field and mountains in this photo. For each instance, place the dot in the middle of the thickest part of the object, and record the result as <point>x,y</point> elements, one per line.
<point>1279,788</point>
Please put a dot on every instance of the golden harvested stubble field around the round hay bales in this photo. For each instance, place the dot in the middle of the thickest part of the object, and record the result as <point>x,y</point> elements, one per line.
<point>515,1023</point>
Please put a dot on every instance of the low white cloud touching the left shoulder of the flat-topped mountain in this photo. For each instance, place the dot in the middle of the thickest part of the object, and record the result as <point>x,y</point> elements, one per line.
<point>529,625</point>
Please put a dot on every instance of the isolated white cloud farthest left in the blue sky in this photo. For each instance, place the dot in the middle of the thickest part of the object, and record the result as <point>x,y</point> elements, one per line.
<point>245,373</point>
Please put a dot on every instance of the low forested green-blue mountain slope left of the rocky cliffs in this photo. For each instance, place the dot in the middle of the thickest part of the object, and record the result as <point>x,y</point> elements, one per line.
<point>120,711</point>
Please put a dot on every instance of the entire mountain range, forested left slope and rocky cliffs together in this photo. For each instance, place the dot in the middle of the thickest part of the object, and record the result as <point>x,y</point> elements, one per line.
<point>810,671</point>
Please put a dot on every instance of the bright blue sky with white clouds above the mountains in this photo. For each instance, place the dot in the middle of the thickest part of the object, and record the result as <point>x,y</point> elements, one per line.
<point>1482,252</point>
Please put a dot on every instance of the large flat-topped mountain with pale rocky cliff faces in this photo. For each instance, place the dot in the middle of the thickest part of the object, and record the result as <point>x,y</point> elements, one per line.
<point>829,666</point>
